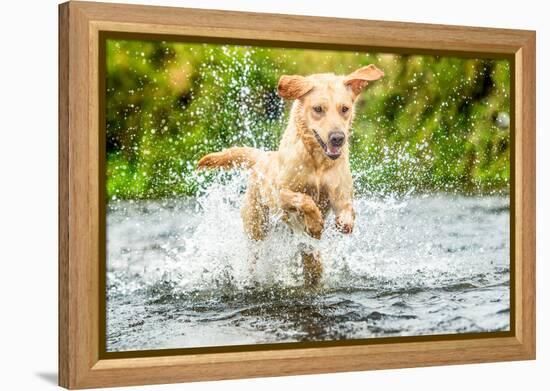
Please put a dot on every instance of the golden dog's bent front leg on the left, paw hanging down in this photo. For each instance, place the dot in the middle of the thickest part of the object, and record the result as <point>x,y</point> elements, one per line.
<point>294,201</point>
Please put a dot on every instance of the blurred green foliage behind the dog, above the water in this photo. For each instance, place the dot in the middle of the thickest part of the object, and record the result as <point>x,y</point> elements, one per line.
<point>429,125</point>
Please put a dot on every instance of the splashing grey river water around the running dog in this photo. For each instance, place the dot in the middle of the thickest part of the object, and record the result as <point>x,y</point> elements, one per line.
<point>178,273</point>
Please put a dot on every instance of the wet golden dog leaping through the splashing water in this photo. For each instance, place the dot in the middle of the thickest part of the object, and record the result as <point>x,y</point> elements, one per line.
<point>309,175</point>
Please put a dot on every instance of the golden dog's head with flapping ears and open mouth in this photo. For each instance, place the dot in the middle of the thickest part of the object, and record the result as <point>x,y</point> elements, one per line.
<point>326,104</point>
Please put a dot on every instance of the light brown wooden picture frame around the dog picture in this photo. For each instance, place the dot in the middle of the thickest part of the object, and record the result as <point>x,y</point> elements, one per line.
<point>81,364</point>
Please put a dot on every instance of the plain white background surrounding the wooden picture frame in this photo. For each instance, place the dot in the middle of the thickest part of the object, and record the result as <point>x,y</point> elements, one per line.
<point>28,166</point>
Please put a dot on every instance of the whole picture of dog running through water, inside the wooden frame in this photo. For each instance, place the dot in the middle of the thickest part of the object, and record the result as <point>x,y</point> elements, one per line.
<point>265,195</point>
